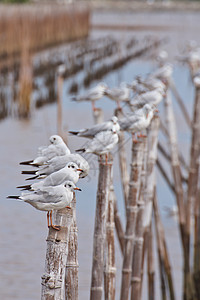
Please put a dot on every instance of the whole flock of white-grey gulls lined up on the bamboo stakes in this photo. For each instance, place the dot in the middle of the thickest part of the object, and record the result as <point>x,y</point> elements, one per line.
<point>57,170</point>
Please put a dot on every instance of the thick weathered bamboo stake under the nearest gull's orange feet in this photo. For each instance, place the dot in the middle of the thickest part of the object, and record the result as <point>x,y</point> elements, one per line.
<point>53,279</point>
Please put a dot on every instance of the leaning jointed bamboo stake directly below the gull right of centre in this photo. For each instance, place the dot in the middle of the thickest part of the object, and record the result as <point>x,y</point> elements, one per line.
<point>134,189</point>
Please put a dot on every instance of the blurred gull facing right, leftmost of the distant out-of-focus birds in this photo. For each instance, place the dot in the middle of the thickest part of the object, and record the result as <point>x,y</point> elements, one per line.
<point>92,95</point>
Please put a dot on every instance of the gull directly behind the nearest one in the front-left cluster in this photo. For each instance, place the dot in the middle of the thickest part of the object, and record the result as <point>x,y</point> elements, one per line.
<point>69,172</point>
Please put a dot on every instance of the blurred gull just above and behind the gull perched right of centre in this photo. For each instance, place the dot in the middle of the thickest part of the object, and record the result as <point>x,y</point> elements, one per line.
<point>151,97</point>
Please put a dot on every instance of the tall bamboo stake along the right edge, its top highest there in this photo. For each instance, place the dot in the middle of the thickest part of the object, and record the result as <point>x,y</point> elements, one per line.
<point>194,157</point>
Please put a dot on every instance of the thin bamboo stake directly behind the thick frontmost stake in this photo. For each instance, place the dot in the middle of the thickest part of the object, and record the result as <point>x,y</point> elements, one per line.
<point>71,273</point>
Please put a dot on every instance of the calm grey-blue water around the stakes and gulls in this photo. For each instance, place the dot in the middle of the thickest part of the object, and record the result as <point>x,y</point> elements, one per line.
<point>23,229</point>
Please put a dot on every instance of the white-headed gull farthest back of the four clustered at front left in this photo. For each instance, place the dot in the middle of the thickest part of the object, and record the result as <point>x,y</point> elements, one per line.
<point>57,147</point>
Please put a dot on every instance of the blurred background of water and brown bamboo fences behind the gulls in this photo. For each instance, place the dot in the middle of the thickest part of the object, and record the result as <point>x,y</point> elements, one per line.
<point>110,41</point>
